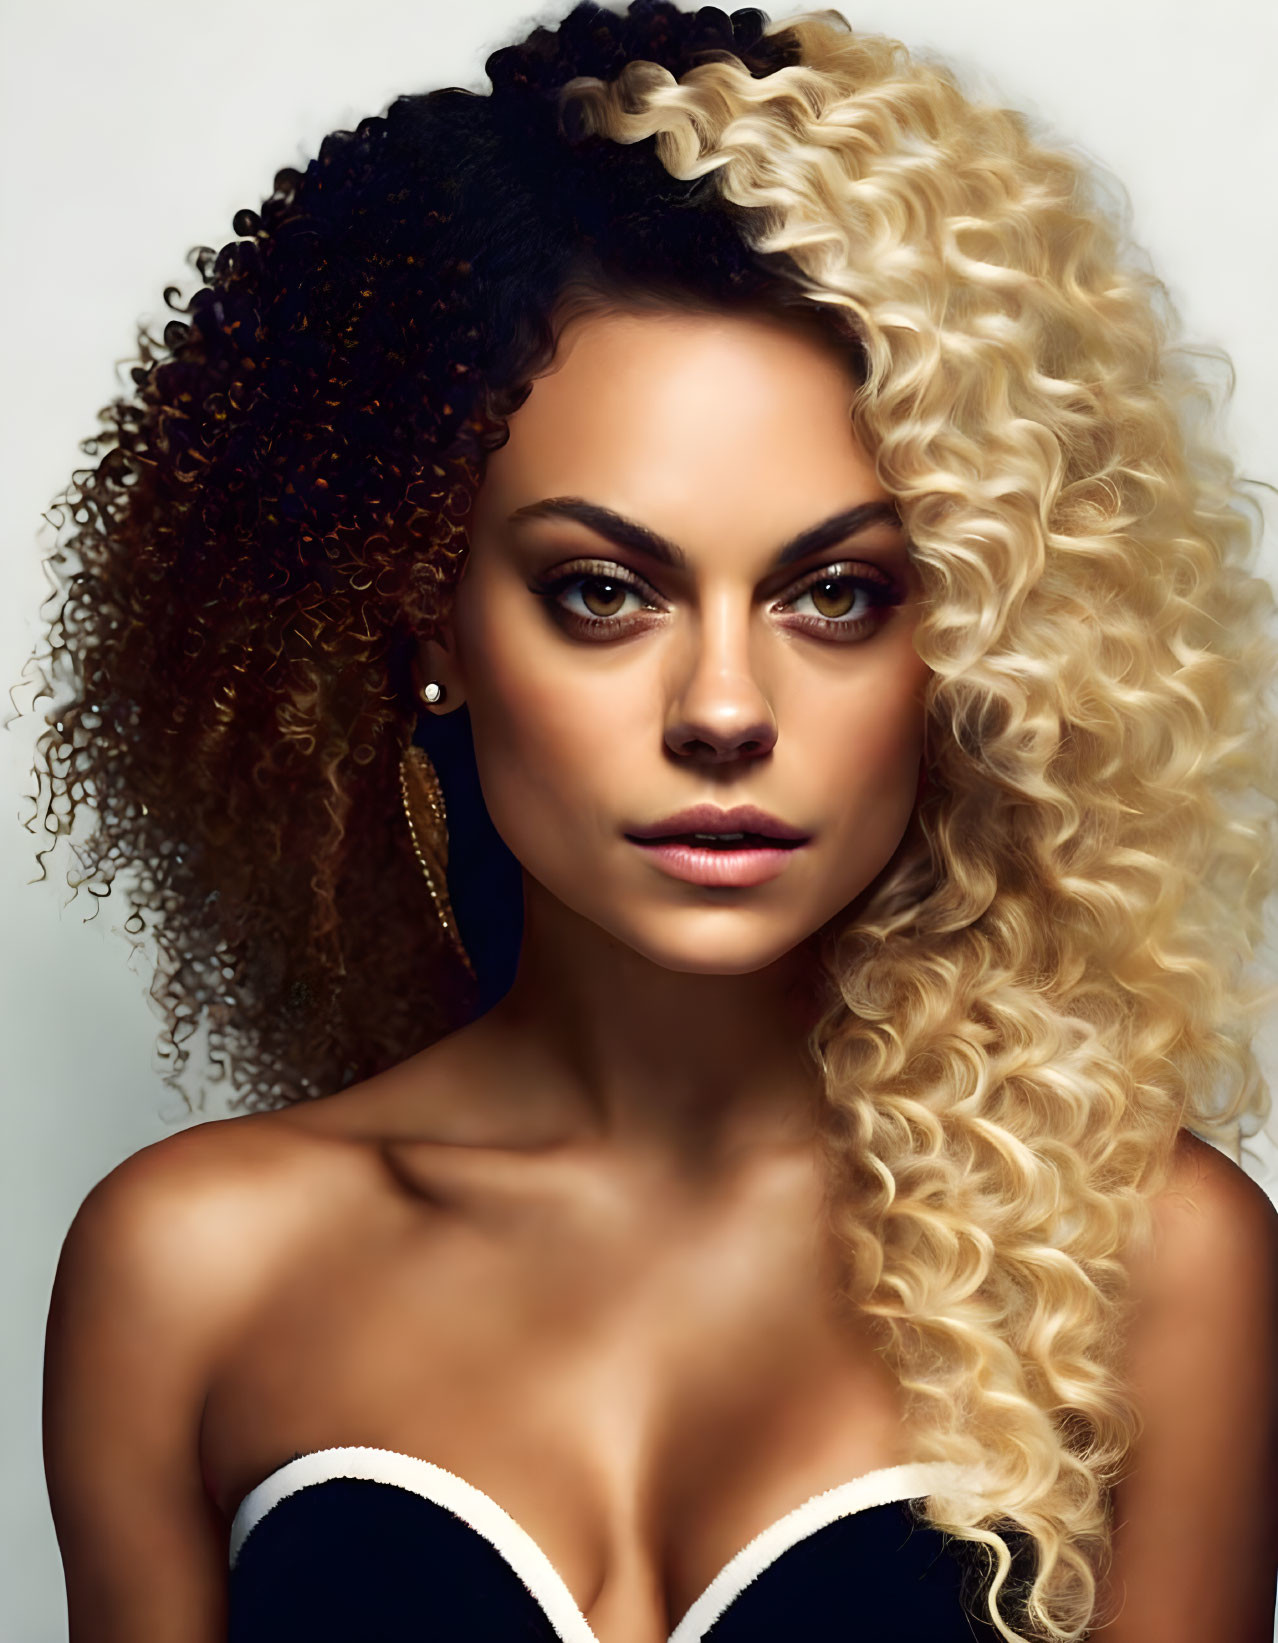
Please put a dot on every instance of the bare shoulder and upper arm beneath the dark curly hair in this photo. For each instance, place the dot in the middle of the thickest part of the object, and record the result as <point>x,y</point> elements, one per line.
<point>160,1264</point>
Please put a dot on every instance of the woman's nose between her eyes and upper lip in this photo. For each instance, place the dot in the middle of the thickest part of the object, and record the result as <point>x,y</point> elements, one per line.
<point>720,714</point>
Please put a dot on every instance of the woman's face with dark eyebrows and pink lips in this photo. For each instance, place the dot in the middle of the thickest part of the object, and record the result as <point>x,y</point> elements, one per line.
<point>686,587</point>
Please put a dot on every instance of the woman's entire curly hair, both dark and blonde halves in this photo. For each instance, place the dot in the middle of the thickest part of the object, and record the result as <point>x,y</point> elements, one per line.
<point>1049,982</point>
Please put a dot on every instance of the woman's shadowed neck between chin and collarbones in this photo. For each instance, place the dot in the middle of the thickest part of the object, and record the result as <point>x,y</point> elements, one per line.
<point>620,1052</point>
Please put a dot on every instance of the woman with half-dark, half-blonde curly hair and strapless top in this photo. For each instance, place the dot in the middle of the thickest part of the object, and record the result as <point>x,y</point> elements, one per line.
<point>691,707</point>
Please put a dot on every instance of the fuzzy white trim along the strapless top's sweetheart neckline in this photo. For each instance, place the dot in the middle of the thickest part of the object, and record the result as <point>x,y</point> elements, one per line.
<point>528,1560</point>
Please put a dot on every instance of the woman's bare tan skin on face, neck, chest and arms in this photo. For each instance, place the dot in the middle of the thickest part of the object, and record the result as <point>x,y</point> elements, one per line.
<point>576,1253</point>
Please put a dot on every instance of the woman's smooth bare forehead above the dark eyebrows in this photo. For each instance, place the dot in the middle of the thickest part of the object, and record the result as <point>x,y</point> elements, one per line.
<point>664,415</point>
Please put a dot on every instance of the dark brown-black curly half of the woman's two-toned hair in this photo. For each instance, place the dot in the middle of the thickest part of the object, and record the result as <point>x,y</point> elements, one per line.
<point>278,515</point>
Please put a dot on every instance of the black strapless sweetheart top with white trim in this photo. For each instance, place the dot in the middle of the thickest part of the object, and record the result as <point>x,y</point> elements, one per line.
<point>359,1545</point>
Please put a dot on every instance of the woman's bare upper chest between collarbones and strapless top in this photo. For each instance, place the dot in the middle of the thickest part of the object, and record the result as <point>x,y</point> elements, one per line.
<point>638,1397</point>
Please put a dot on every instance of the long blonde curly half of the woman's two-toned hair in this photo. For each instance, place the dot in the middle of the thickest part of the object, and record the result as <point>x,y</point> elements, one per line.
<point>1055,977</point>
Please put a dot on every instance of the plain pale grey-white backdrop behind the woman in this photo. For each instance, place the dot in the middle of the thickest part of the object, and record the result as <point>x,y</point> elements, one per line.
<point>134,132</point>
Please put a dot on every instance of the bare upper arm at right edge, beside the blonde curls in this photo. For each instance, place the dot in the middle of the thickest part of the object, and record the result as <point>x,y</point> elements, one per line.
<point>1195,1514</point>
